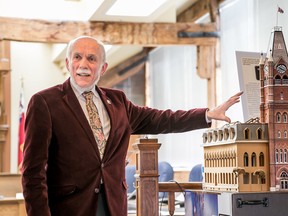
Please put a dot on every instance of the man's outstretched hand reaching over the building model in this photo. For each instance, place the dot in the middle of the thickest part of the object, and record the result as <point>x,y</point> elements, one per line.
<point>218,113</point>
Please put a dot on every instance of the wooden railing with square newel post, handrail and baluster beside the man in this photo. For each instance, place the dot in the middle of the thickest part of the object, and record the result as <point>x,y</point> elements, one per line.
<point>147,185</point>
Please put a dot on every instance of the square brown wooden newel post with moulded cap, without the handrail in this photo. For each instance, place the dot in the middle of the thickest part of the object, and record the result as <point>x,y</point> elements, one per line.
<point>147,176</point>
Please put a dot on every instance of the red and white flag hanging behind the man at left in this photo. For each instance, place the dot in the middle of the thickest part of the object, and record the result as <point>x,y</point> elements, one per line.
<point>21,132</point>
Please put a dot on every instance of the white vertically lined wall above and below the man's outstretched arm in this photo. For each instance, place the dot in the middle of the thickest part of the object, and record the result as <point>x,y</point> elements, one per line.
<point>175,85</point>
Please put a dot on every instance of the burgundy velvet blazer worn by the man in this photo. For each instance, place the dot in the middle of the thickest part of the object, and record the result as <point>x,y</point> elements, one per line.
<point>62,166</point>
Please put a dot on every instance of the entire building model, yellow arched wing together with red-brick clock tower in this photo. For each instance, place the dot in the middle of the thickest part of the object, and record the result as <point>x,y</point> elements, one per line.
<point>252,156</point>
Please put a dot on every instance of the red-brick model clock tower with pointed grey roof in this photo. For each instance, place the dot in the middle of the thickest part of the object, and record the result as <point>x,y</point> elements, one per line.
<point>274,108</point>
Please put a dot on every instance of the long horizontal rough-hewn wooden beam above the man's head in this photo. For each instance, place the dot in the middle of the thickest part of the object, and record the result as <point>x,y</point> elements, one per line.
<point>114,33</point>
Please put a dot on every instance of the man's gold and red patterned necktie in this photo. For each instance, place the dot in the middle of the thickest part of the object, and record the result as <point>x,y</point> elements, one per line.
<point>95,122</point>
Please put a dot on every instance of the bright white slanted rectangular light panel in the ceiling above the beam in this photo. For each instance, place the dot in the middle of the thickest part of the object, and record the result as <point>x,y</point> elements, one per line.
<point>134,8</point>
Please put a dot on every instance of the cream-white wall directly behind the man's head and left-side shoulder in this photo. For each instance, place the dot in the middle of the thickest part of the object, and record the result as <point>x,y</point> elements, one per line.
<point>31,62</point>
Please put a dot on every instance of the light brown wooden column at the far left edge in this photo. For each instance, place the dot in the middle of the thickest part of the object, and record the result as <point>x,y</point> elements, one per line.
<point>5,98</point>
